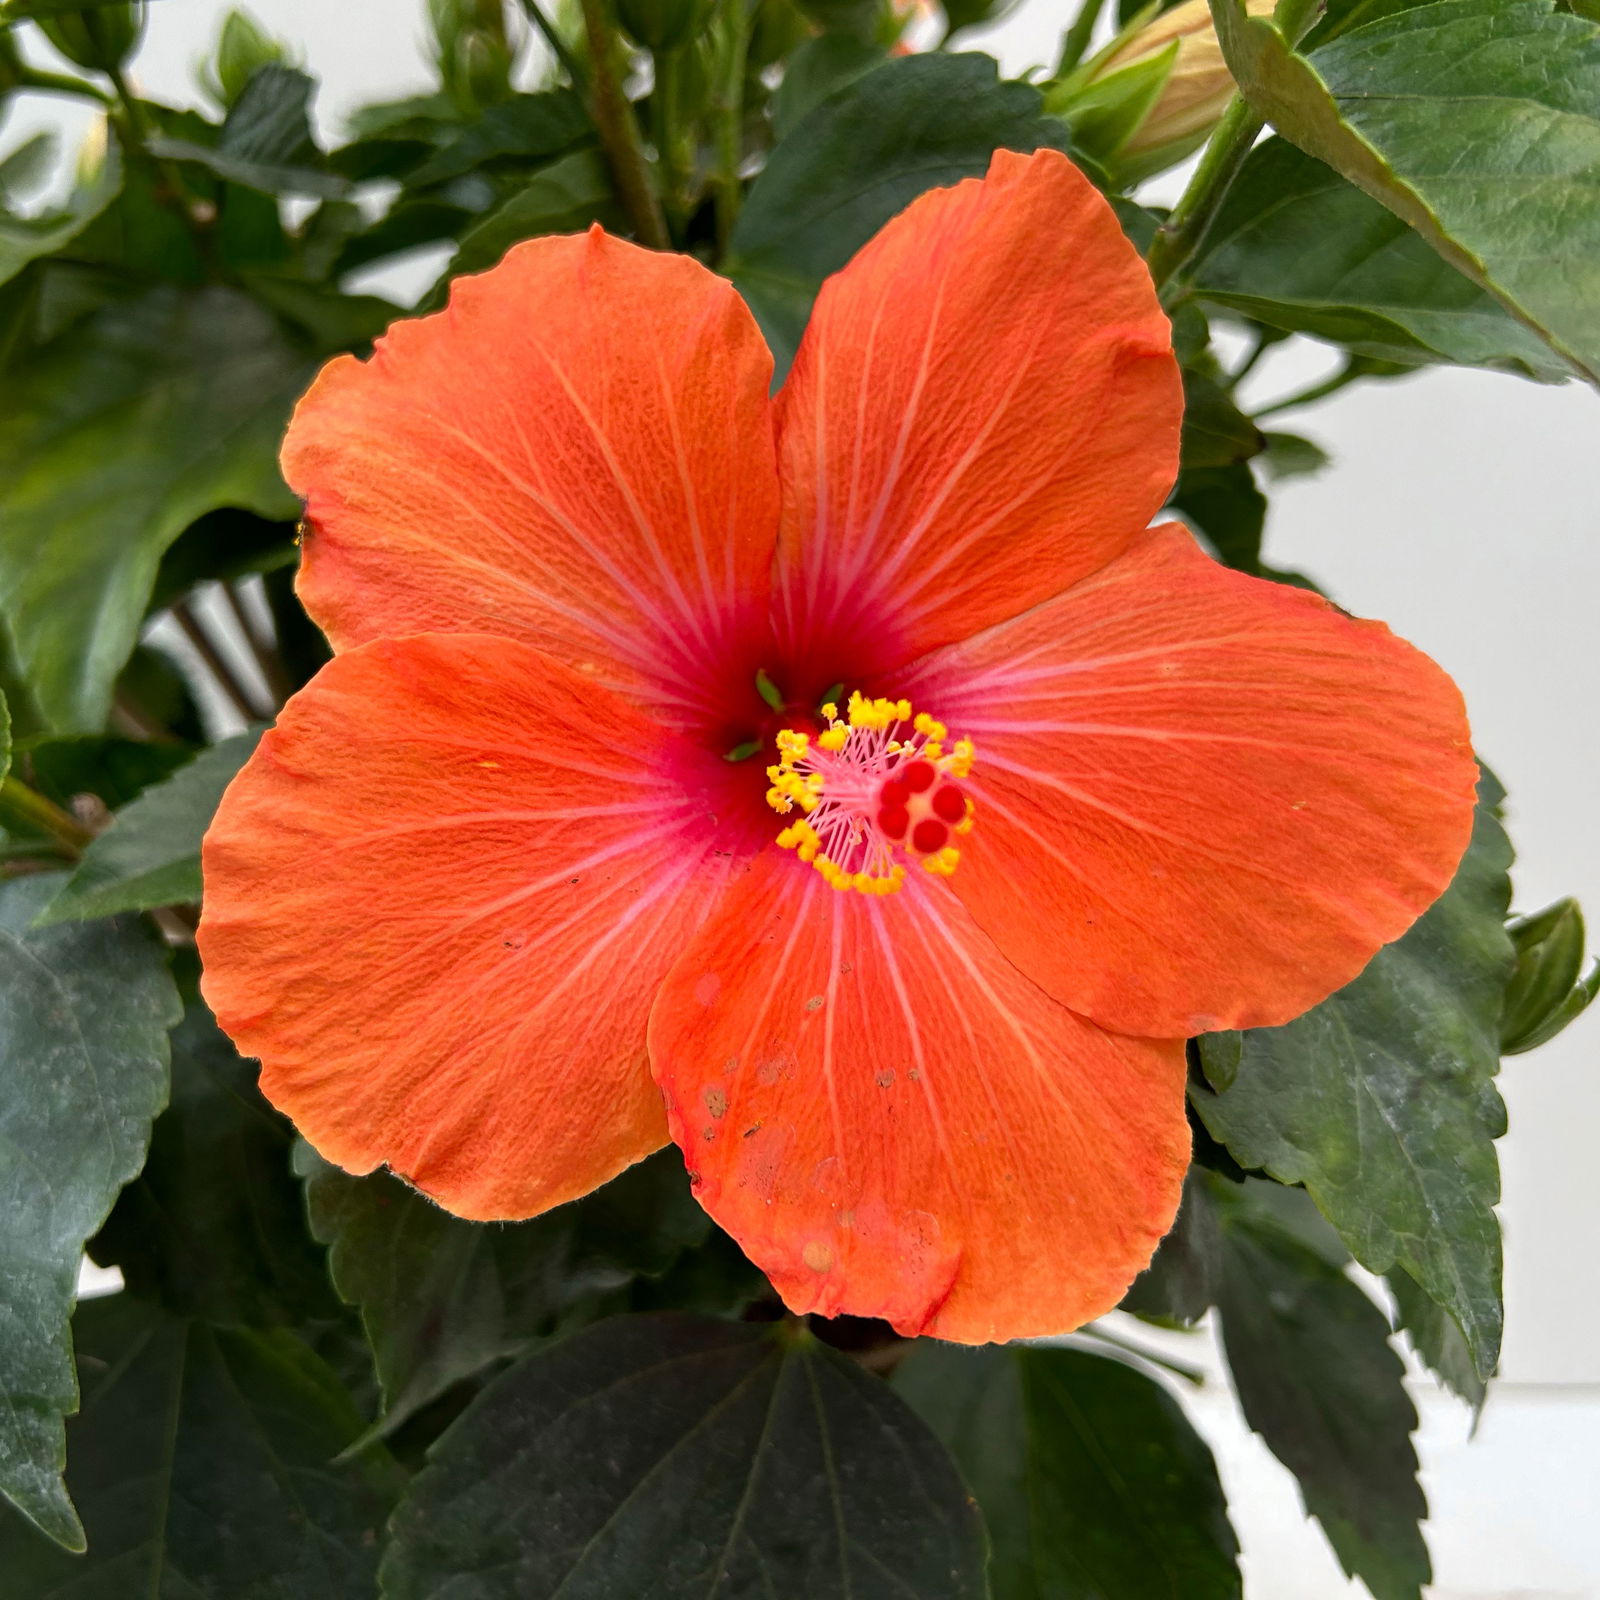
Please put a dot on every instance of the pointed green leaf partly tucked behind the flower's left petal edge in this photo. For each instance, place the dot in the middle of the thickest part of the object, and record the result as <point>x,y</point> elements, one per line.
<point>151,852</point>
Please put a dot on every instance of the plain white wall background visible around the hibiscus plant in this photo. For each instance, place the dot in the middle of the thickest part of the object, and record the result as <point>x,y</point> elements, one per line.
<point>1463,510</point>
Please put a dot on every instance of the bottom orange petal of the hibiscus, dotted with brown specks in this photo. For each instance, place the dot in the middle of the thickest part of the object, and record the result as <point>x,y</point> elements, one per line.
<point>894,1122</point>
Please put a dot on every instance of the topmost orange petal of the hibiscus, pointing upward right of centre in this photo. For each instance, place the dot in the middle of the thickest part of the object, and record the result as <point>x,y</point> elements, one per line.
<point>983,410</point>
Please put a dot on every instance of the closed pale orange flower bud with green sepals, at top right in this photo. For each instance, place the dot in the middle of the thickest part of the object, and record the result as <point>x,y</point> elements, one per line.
<point>1154,94</point>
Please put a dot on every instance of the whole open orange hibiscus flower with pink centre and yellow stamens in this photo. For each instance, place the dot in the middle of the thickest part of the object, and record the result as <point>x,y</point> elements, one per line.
<point>849,785</point>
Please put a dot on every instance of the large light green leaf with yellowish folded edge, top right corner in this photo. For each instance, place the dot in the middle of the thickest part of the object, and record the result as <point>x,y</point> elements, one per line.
<point>1474,121</point>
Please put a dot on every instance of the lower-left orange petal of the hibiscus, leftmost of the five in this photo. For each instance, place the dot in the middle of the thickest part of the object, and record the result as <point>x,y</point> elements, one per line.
<point>439,902</point>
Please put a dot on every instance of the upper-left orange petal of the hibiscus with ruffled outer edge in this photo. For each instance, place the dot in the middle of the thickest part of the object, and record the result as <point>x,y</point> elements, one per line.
<point>577,454</point>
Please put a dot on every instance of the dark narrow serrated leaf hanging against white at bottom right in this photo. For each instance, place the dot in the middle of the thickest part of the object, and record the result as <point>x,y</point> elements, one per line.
<point>1318,1380</point>
